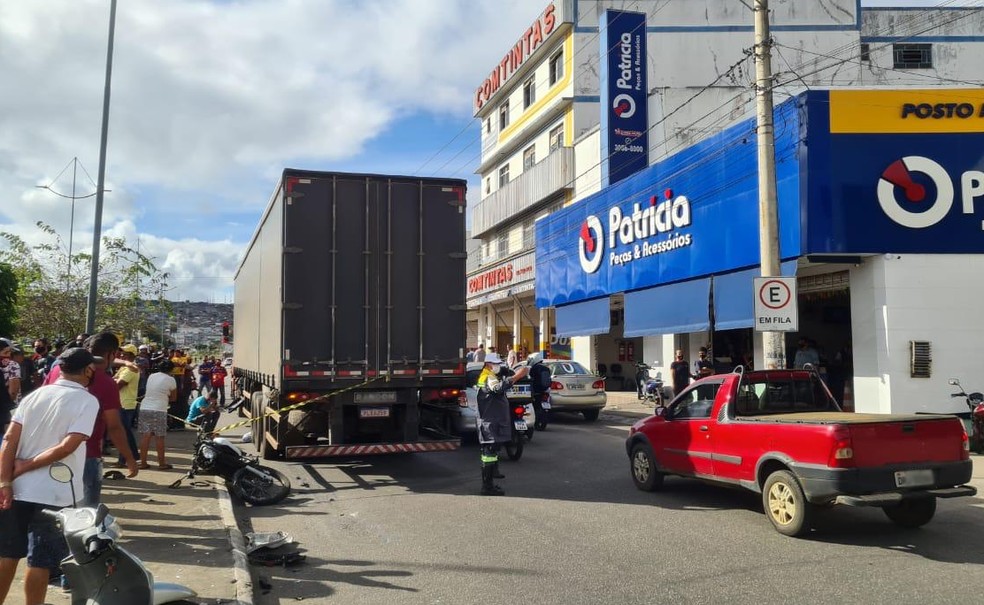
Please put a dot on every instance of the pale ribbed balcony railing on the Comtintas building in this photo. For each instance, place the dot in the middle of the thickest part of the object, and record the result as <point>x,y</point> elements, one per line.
<point>545,179</point>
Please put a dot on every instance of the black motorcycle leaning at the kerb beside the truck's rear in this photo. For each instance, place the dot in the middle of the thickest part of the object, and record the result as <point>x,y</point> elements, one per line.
<point>250,480</point>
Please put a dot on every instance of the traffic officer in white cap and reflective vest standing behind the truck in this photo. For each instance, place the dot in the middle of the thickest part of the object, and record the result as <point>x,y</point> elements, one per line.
<point>495,423</point>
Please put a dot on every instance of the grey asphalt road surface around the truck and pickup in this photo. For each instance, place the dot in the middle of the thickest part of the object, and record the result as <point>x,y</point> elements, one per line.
<point>572,528</point>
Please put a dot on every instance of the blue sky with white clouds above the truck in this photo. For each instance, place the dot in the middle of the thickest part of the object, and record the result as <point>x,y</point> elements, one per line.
<point>211,100</point>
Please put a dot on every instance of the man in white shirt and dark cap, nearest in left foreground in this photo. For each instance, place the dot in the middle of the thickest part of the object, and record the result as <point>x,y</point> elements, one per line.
<point>50,425</point>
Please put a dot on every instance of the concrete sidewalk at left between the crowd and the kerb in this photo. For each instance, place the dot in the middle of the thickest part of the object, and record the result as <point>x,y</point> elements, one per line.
<point>181,534</point>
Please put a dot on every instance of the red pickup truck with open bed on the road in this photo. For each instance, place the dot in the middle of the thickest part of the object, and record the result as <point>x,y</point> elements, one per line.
<point>781,433</point>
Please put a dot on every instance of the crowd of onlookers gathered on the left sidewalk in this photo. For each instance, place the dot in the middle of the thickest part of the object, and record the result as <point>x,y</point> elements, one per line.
<point>91,391</point>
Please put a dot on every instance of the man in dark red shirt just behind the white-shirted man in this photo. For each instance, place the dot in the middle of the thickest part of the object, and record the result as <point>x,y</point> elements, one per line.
<point>108,421</point>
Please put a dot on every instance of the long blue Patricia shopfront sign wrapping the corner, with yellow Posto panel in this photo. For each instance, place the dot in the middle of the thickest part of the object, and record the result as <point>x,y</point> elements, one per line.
<point>858,172</point>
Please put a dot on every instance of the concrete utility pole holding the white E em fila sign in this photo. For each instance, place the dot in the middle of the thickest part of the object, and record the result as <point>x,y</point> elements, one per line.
<point>773,343</point>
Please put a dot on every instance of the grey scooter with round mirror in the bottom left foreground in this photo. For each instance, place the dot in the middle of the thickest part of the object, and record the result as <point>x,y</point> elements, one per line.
<point>98,570</point>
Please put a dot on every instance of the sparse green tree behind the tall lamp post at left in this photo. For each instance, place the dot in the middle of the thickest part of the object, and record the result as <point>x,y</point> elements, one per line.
<point>52,290</point>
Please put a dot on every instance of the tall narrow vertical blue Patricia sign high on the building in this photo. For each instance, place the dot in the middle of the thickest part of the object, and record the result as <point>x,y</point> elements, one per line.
<point>624,95</point>
